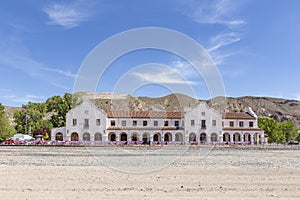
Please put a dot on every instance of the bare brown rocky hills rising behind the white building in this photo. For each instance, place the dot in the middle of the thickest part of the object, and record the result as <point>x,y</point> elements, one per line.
<point>279,109</point>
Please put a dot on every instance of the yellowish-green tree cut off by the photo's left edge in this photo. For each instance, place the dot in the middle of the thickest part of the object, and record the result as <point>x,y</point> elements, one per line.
<point>6,130</point>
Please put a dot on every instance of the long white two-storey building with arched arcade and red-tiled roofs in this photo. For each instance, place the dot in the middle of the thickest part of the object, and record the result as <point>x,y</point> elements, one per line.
<point>200,125</point>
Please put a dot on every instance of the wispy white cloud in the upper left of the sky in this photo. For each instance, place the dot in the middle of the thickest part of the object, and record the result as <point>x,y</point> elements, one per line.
<point>68,15</point>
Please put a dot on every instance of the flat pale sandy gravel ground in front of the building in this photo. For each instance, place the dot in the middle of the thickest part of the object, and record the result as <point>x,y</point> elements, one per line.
<point>149,172</point>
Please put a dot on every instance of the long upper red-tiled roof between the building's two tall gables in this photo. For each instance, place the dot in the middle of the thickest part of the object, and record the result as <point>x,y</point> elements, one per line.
<point>144,114</point>
